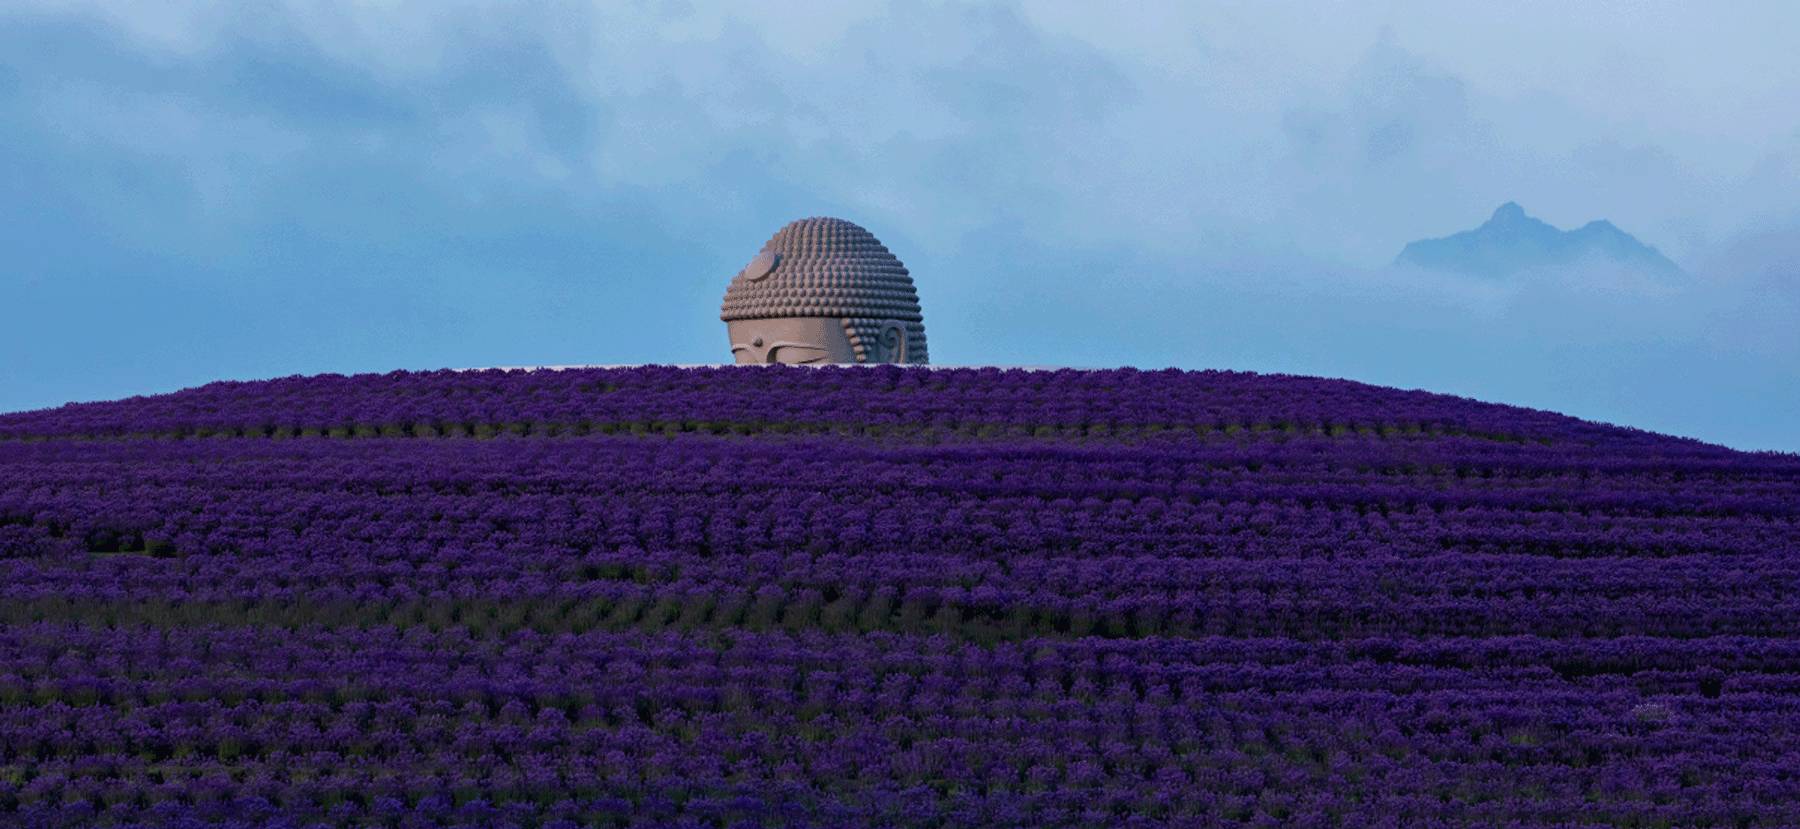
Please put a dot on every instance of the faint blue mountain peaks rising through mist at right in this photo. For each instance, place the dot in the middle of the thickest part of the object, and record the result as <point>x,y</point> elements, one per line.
<point>1513,242</point>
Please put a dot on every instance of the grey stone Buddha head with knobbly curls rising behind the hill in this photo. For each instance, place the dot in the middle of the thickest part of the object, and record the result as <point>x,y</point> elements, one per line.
<point>823,292</point>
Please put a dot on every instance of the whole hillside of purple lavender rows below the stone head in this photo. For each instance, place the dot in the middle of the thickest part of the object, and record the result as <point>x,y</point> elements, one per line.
<point>924,598</point>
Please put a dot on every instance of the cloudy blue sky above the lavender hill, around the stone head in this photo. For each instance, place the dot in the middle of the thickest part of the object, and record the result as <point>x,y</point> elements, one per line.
<point>219,192</point>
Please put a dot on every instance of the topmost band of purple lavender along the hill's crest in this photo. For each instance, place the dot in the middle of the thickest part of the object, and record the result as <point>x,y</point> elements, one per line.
<point>935,402</point>
